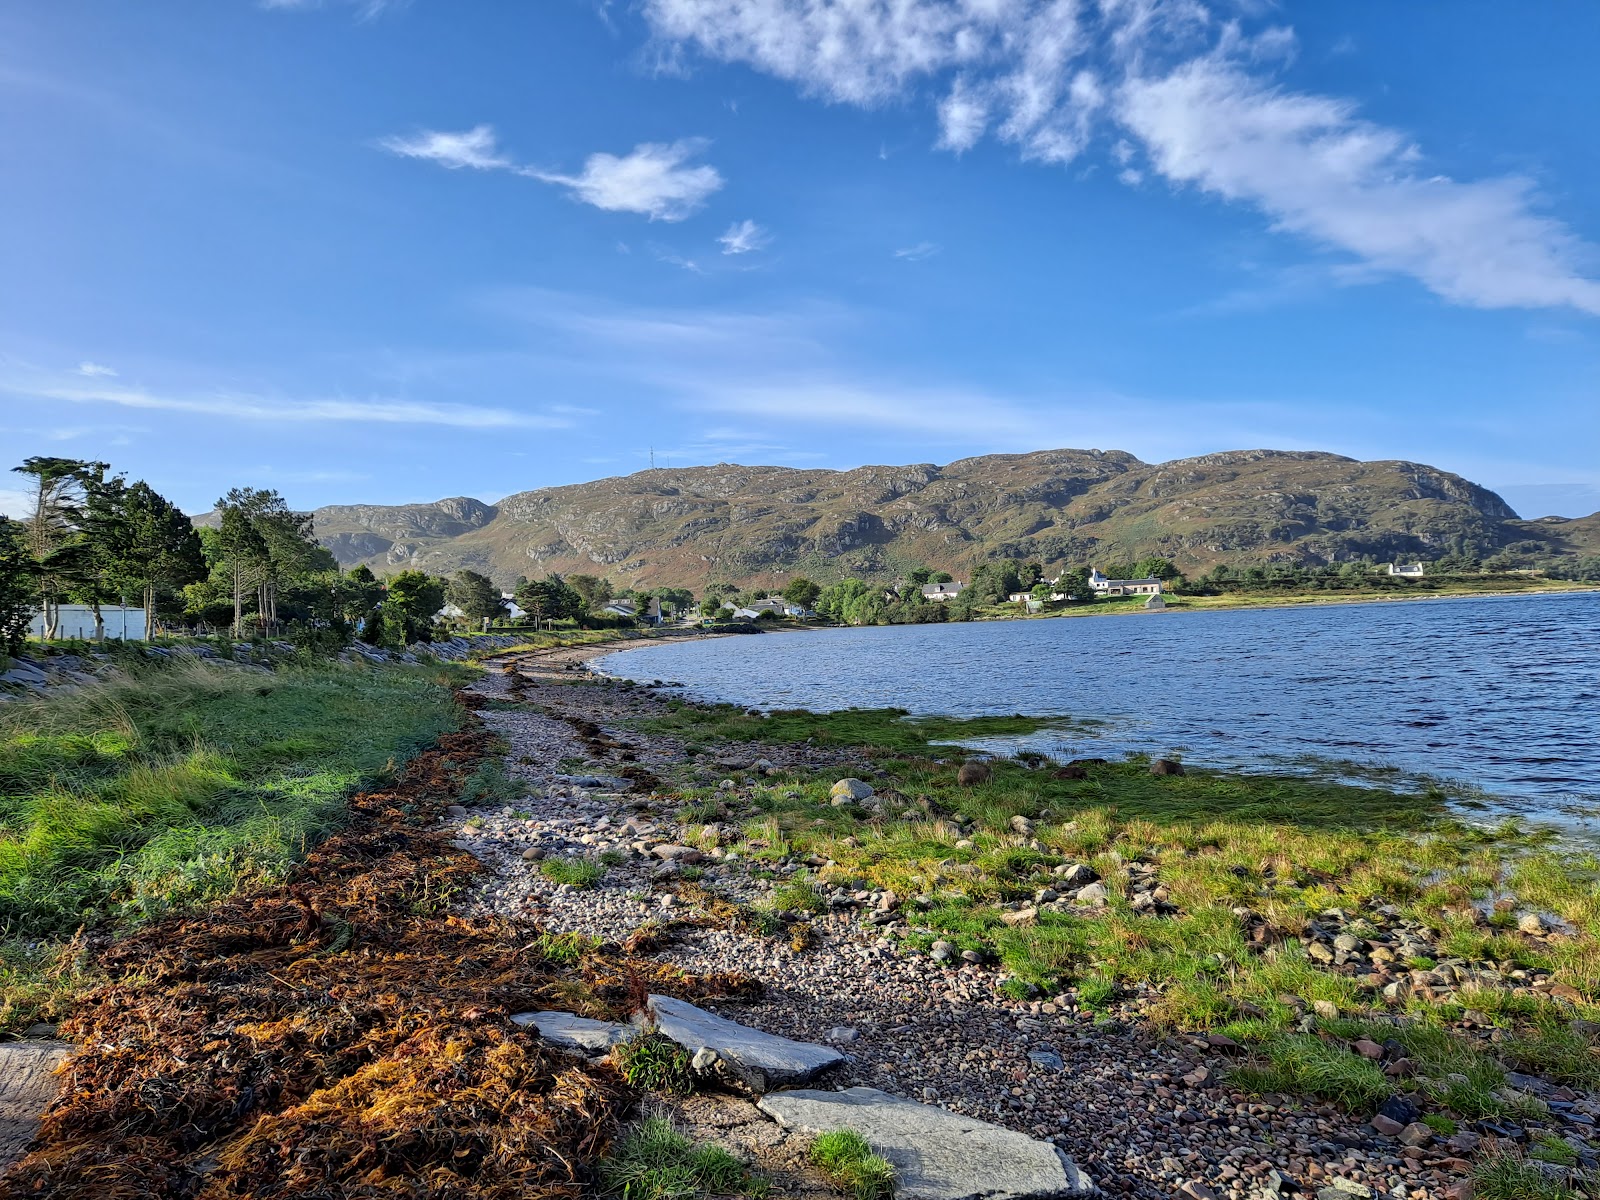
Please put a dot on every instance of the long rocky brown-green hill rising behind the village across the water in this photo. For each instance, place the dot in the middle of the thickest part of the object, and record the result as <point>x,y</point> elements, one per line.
<point>756,526</point>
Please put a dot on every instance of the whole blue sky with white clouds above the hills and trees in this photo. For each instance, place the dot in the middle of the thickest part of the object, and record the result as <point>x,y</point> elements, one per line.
<point>394,252</point>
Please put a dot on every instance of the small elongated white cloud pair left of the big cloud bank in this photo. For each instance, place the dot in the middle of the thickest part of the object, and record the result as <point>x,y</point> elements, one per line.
<point>658,180</point>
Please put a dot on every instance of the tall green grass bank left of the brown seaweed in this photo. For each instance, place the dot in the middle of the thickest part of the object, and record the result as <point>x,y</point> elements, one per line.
<point>174,785</point>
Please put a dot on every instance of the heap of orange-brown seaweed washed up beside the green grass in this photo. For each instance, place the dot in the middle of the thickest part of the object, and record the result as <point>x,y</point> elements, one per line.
<point>343,1036</point>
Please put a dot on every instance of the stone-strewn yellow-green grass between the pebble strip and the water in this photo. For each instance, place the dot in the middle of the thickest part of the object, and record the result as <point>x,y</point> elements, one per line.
<point>1294,916</point>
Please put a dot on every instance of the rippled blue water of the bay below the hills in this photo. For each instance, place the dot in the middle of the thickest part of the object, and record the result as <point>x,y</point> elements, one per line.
<point>1502,694</point>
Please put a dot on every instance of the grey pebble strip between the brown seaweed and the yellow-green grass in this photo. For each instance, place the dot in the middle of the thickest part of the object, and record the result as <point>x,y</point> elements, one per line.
<point>1143,1113</point>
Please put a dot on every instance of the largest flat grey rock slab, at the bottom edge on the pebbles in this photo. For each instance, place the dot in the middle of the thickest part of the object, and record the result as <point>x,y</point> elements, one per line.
<point>937,1154</point>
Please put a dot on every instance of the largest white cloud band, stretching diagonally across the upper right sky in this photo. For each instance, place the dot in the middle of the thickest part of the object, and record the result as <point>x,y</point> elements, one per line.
<point>1190,92</point>
